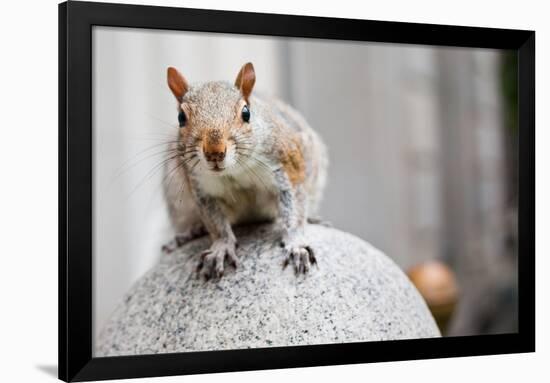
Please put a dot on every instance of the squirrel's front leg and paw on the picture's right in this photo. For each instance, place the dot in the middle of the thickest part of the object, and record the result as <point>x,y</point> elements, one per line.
<point>292,210</point>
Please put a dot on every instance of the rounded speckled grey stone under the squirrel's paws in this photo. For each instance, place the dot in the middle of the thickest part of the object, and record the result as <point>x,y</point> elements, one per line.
<point>355,294</point>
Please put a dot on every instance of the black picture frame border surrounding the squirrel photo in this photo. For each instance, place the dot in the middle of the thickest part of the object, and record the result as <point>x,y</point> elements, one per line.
<point>76,19</point>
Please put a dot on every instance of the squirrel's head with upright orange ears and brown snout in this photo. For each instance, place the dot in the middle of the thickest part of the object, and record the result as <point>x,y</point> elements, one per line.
<point>214,120</point>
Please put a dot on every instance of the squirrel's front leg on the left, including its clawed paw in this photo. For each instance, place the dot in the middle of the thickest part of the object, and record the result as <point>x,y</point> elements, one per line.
<point>224,243</point>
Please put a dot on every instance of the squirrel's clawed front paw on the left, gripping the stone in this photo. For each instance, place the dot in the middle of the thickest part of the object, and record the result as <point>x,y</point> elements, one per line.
<point>211,263</point>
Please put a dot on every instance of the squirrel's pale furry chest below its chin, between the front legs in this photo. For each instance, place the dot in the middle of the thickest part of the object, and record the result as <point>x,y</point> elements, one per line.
<point>246,196</point>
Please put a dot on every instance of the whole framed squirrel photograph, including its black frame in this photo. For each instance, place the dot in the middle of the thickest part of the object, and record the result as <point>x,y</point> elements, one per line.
<point>243,191</point>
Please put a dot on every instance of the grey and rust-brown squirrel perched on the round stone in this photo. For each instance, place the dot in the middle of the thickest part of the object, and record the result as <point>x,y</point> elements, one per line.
<point>237,159</point>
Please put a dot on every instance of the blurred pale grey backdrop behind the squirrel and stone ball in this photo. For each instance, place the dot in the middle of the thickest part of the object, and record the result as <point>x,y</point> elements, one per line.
<point>422,144</point>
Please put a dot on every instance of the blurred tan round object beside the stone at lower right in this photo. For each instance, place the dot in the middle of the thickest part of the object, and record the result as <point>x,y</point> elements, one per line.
<point>436,283</point>
